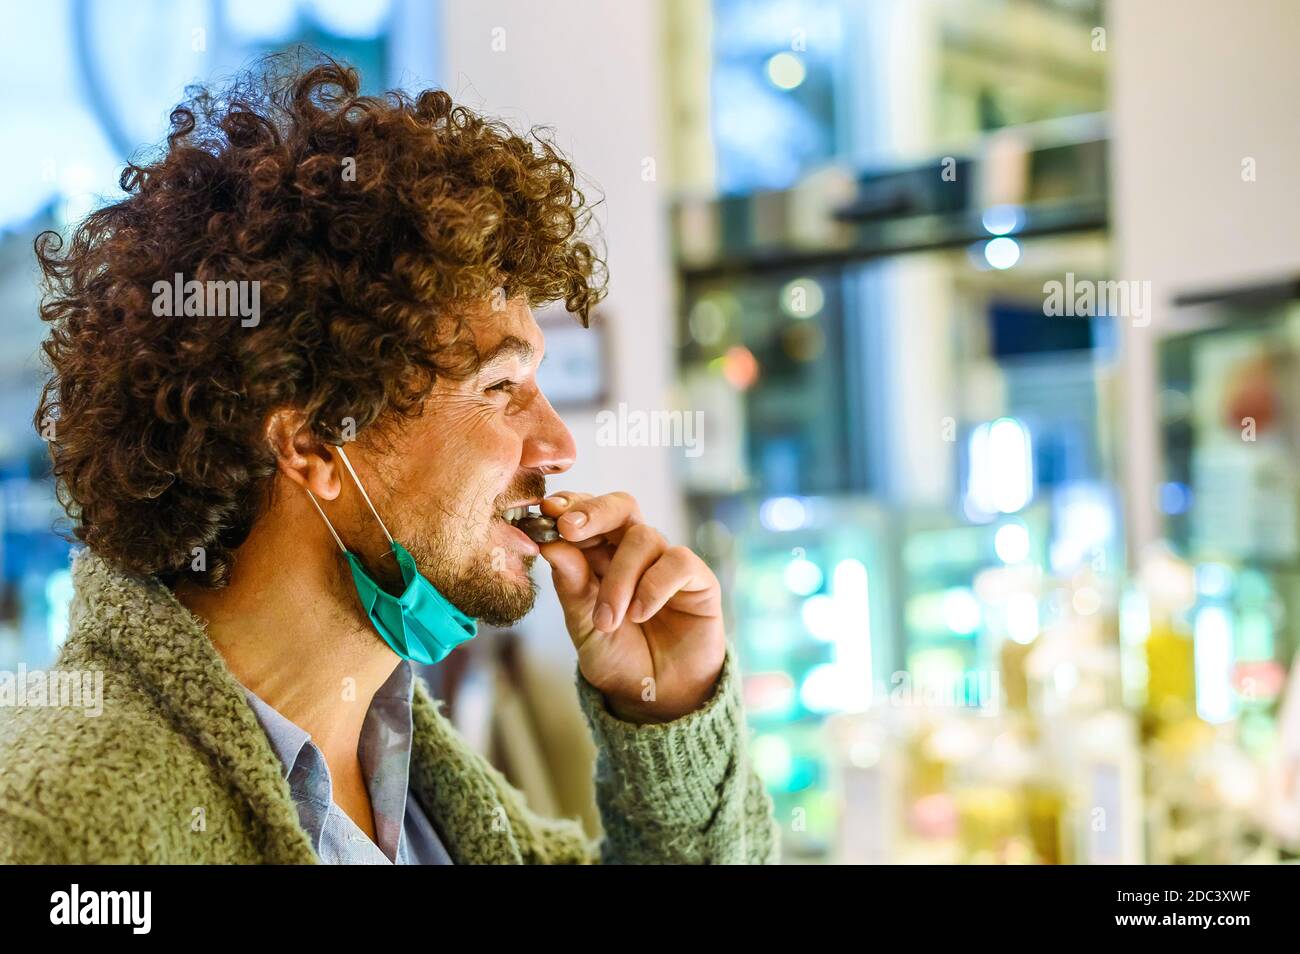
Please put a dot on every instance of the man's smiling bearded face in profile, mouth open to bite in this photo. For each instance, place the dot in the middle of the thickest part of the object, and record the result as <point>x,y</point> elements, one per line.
<point>482,446</point>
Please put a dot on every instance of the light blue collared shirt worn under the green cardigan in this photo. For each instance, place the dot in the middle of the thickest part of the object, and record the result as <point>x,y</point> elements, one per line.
<point>404,832</point>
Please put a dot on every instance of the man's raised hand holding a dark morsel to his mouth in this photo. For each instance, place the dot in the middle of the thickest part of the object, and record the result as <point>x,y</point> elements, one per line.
<point>645,617</point>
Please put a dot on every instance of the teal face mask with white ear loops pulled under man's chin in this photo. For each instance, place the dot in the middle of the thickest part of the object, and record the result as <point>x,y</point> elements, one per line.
<point>422,625</point>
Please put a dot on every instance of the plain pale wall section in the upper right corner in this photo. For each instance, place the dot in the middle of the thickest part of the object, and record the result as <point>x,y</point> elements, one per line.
<point>1195,88</point>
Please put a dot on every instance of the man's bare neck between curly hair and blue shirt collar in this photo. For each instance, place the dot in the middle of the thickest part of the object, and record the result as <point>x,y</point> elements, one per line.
<point>291,630</point>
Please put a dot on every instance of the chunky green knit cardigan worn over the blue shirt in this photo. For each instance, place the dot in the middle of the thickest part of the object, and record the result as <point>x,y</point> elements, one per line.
<point>177,770</point>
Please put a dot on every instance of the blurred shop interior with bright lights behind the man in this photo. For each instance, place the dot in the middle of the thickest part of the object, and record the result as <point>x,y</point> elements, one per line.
<point>1008,586</point>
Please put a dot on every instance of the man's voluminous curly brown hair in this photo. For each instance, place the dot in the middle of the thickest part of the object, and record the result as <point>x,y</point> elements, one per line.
<point>158,445</point>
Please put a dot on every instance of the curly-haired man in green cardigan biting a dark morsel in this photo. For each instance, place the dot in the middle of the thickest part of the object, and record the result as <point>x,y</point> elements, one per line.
<point>296,417</point>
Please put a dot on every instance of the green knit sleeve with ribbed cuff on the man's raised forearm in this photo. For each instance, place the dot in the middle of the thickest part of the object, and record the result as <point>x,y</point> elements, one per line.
<point>681,792</point>
